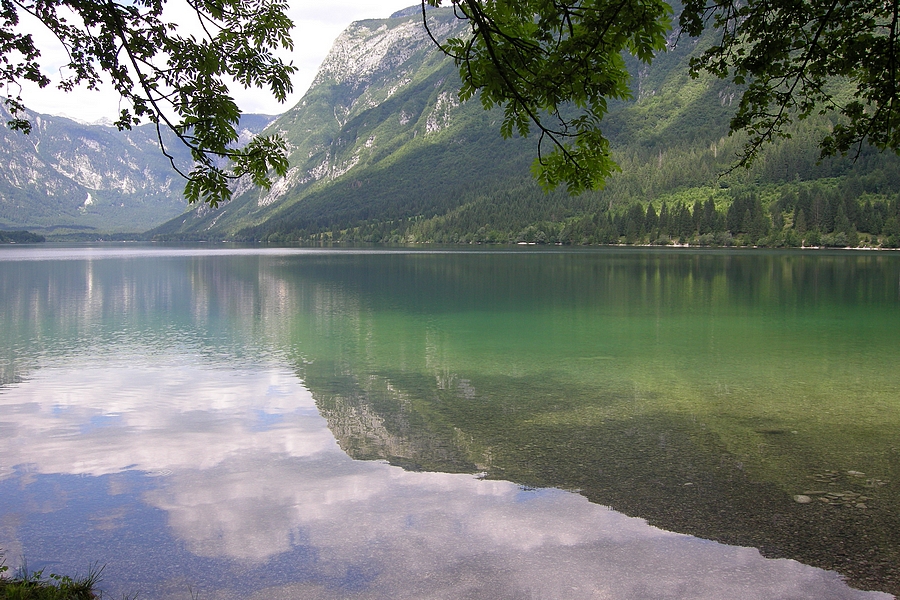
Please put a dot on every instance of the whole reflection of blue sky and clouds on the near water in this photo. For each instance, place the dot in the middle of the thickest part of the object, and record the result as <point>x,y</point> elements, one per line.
<point>176,472</point>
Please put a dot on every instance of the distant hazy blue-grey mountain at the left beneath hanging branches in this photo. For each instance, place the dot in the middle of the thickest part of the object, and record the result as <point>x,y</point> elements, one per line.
<point>67,176</point>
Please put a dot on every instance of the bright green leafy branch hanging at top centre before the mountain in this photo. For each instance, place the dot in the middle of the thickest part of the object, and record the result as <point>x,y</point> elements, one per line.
<point>553,65</point>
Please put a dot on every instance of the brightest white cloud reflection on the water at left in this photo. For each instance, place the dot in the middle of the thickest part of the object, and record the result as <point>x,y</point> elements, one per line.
<point>165,414</point>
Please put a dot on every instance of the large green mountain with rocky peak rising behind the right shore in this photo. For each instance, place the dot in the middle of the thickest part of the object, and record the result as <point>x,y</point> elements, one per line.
<point>382,150</point>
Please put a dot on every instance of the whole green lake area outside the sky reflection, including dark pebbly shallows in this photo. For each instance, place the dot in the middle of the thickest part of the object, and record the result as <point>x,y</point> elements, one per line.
<point>699,390</point>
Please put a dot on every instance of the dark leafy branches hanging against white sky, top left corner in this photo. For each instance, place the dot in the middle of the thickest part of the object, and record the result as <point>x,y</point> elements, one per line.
<point>177,80</point>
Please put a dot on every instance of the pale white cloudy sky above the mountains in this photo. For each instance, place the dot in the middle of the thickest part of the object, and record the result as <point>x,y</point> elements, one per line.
<point>316,25</point>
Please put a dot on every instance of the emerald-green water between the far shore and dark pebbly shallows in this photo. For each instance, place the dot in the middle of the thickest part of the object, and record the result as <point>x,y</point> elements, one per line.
<point>748,345</point>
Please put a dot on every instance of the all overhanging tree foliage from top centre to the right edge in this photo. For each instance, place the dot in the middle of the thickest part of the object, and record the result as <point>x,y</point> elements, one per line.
<point>554,65</point>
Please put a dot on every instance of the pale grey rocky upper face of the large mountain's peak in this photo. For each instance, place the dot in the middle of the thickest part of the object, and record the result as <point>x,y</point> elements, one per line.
<point>348,119</point>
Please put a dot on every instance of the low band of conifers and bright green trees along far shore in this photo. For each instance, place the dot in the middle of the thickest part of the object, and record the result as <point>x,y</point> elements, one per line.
<point>802,214</point>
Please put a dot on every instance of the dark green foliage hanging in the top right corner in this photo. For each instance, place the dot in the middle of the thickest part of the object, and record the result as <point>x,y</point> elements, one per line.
<point>796,58</point>
